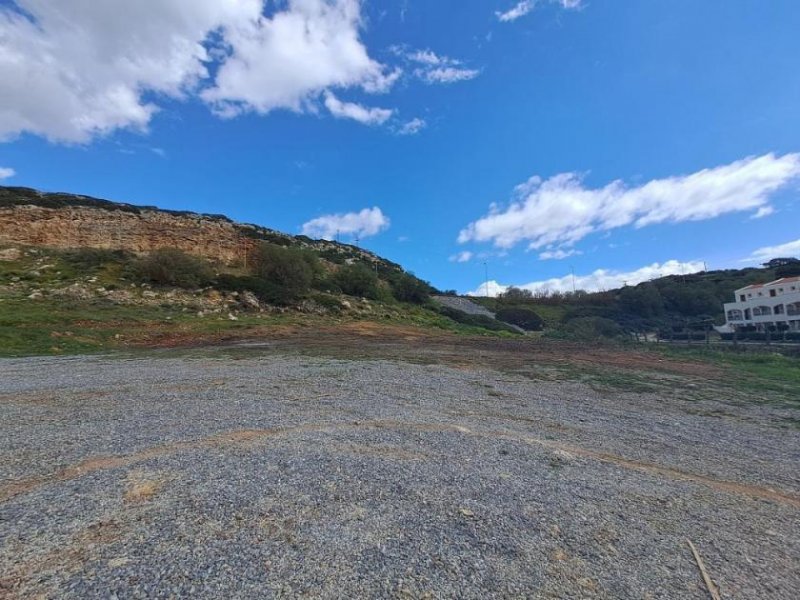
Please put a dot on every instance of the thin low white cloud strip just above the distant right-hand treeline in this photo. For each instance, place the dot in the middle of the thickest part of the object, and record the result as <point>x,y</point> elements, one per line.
<point>601,279</point>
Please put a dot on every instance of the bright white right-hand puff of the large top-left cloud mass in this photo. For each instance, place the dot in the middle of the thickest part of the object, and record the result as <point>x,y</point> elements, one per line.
<point>285,60</point>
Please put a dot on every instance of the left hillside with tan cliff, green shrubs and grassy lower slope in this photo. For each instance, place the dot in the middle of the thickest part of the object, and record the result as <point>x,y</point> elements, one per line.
<point>81,274</point>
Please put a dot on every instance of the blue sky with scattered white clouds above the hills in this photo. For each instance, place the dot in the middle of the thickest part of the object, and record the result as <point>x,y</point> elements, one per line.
<point>628,138</point>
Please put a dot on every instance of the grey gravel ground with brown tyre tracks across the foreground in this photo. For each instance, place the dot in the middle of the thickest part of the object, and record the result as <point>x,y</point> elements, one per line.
<point>282,476</point>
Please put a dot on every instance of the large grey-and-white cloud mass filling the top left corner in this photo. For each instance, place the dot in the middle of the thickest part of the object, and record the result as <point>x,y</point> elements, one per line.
<point>71,70</point>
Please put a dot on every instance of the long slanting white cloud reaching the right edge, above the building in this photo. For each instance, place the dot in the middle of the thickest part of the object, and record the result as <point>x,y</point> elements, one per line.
<point>561,210</point>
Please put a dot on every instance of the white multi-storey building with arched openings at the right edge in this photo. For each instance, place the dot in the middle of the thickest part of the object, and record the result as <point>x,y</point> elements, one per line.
<point>762,305</point>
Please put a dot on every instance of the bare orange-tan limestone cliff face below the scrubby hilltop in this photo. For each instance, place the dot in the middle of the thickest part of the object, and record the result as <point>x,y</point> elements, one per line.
<point>143,231</point>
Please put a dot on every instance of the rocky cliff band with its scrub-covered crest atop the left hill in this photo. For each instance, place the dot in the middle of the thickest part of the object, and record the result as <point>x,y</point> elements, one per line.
<point>32,218</point>
